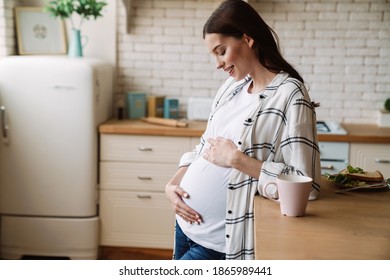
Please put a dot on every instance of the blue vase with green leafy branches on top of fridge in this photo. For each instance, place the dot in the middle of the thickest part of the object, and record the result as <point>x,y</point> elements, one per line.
<point>66,9</point>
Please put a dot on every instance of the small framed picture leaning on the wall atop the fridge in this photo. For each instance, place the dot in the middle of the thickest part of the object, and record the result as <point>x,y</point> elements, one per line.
<point>39,33</point>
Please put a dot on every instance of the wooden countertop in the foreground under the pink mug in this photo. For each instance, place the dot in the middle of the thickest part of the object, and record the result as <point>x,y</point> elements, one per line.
<point>352,225</point>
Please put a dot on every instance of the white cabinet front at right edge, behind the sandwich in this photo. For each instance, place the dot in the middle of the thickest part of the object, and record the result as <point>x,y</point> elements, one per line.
<point>371,157</point>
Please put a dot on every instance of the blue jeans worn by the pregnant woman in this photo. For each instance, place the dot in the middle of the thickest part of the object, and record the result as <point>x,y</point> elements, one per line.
<point>186,249</point>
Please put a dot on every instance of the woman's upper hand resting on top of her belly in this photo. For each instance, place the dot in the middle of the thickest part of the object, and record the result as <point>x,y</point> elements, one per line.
<point>221,151</point>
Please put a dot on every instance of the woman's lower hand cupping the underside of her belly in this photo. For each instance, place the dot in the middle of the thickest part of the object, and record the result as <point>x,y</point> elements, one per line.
<point>175,194</point>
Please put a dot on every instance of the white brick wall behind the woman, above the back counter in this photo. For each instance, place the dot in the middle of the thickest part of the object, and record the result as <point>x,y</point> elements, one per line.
<point>342,49</point>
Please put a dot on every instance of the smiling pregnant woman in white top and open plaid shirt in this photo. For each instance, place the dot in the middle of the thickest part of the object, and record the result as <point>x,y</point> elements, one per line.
<point>262,124</point>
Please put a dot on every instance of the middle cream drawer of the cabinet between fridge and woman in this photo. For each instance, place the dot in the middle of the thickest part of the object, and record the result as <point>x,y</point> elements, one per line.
<point>136,176</point>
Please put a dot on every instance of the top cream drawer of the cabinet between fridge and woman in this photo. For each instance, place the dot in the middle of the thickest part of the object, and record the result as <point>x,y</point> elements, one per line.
<point>143,148</point>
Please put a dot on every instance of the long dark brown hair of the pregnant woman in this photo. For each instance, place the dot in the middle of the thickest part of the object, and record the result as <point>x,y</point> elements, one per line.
<point>236,18</point>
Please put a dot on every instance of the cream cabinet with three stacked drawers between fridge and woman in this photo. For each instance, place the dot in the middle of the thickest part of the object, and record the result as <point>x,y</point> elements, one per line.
<point>134,170</point>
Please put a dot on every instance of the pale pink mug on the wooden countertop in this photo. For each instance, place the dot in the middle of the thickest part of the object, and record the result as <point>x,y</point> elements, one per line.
<point>293,192</point>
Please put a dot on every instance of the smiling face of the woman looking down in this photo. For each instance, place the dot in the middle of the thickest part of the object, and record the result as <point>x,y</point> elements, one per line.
<point>233,55</point>
